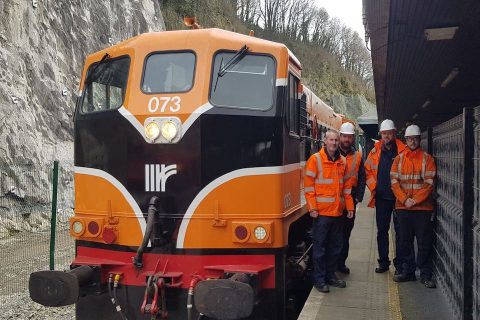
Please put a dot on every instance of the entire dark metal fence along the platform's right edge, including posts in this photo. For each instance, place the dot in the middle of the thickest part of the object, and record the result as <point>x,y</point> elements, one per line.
<point>454,144</point>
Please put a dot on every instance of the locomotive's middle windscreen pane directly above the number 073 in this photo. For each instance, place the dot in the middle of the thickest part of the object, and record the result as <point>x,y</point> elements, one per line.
<point>168,72</point>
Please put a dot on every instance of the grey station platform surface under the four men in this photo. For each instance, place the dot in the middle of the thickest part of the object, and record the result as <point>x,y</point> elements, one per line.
<point>369,295</point>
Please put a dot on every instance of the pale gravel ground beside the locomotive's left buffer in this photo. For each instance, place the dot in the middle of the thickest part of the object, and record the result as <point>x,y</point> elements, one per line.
<point>21,255</point>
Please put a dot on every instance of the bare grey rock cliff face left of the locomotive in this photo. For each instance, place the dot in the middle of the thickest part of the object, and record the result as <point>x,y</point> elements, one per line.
<point>43,45</point>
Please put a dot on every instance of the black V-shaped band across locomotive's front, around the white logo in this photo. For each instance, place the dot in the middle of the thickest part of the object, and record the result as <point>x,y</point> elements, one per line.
<point>220,141</point>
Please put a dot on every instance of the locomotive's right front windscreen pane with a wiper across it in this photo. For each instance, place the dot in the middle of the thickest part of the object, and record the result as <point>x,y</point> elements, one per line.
<point>249,83</point>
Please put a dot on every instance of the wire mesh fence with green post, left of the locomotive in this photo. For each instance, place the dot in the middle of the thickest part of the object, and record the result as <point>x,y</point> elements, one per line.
<point>25,223</point>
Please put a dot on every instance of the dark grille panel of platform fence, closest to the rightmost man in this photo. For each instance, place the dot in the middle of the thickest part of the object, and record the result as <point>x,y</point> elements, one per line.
<point>448,149</point>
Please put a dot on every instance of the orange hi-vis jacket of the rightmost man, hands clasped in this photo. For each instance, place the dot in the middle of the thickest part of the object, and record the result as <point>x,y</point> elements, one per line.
<point>412,176</point>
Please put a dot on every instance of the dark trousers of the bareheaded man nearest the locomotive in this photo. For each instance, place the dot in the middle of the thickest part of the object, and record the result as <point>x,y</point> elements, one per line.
<point>327,244</point>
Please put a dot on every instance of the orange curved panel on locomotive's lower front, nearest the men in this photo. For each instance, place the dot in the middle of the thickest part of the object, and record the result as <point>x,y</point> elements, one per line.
<point>258,200</point>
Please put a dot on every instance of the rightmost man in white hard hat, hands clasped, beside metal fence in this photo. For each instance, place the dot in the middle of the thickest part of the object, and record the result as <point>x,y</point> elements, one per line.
<point>412,177</point>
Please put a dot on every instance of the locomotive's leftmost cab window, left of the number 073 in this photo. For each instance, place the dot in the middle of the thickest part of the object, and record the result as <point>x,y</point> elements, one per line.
<point>105,85</point>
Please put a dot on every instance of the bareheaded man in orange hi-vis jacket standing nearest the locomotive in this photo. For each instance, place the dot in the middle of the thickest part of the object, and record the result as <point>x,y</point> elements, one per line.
<point>327,193</point>
